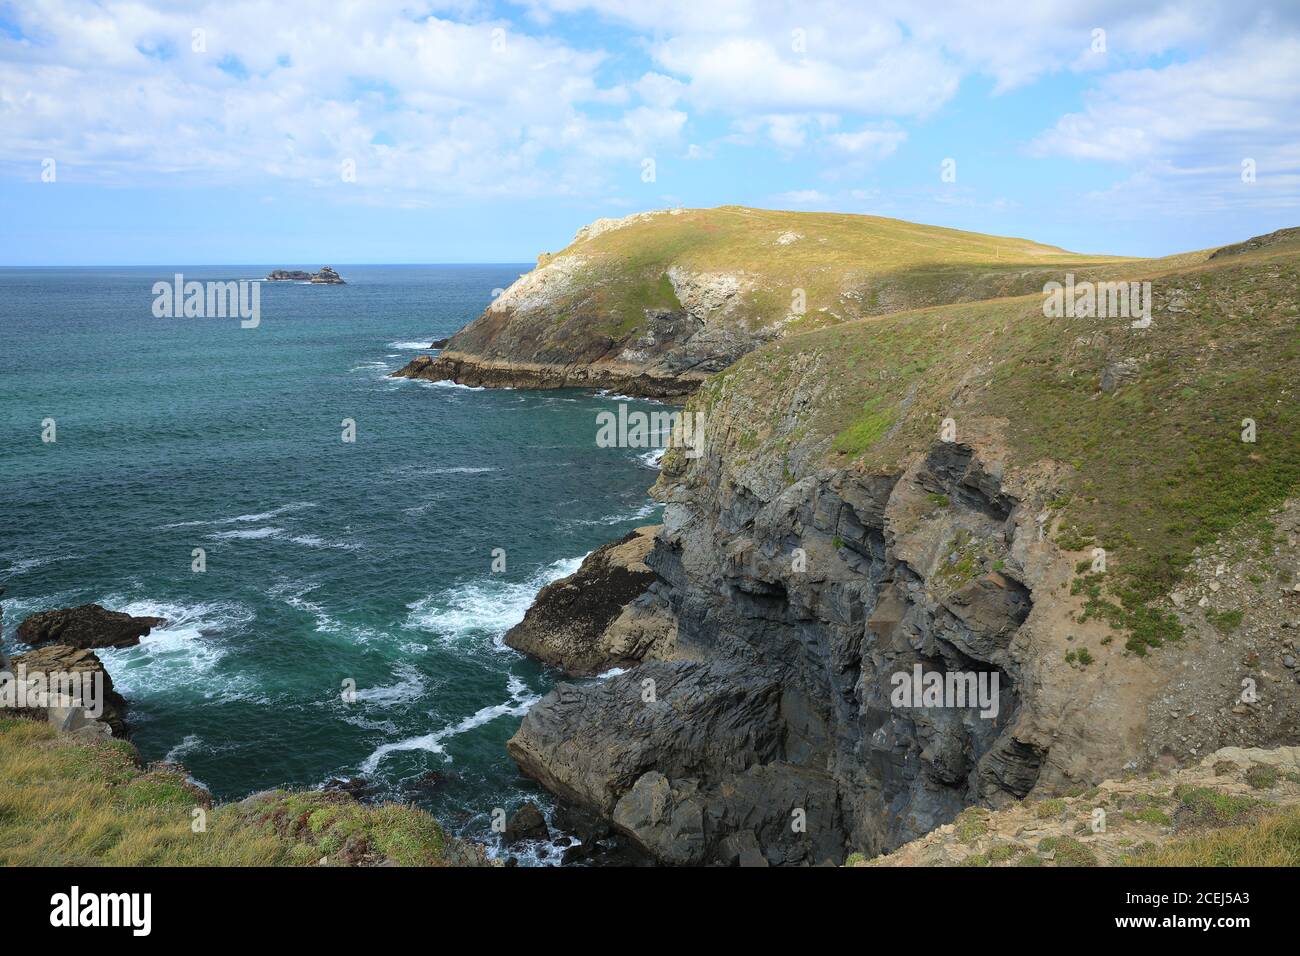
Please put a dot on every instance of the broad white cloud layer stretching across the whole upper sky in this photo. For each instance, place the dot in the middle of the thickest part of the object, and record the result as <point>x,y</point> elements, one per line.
<point>441,100</point>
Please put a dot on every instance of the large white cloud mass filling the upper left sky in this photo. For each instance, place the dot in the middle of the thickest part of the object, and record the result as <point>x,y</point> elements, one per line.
<point>115,93</point>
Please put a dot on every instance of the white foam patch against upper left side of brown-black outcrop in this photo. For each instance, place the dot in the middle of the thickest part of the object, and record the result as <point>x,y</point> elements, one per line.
<point>484,607</point>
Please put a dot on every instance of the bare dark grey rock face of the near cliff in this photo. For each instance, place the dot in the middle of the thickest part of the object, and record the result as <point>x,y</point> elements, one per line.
<point>772,736</point>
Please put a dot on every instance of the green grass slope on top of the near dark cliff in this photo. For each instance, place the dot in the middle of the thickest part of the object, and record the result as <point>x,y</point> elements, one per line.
<point>1154,470</point>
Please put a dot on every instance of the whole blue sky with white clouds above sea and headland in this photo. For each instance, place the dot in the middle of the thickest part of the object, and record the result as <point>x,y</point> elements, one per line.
<point>305,133</point>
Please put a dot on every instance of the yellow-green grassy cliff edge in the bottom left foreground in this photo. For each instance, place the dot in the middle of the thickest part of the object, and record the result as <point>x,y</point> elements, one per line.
<point>70,803</point>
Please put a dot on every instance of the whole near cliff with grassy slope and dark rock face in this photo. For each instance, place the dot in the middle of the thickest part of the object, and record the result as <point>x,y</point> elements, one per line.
<point>930,488</point>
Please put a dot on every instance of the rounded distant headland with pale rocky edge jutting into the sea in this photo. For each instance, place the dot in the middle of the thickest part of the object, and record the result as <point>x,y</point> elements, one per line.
<point>655,304</point>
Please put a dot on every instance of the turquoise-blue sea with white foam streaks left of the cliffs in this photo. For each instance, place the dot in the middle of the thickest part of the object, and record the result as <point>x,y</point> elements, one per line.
<point>326,561</point>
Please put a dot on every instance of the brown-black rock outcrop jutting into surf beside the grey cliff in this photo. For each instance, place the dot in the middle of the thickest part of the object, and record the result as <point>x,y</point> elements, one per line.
<point>569,621</point>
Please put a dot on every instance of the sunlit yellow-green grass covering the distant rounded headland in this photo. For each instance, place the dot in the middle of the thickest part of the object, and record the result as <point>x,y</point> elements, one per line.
<point>847,267</point>
